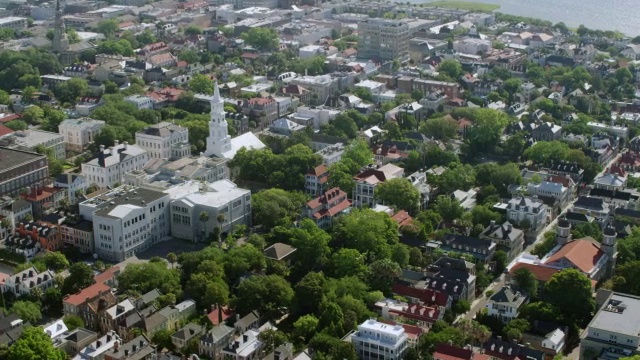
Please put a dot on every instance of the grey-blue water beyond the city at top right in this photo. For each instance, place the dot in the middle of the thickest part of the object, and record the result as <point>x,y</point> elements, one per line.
<point>620,15</point>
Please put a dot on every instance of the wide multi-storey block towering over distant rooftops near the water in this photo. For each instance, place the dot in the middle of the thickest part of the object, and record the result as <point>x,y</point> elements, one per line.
<point>383,39</point>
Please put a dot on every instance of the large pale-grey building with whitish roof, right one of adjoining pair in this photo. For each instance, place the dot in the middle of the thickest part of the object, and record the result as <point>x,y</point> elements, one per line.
<point>190,199</point>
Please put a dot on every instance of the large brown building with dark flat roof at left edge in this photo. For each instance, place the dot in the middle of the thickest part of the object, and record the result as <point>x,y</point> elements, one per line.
<point>21,169</point>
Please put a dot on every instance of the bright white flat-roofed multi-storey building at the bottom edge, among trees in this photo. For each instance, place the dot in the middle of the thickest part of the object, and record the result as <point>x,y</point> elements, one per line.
<point>376,340</point>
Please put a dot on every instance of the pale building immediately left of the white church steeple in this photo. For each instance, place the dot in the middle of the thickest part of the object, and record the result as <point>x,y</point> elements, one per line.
<point>164,141</point>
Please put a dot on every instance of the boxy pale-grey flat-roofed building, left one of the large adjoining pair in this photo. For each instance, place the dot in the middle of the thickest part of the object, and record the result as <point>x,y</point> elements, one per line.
<point>127,220</point>
